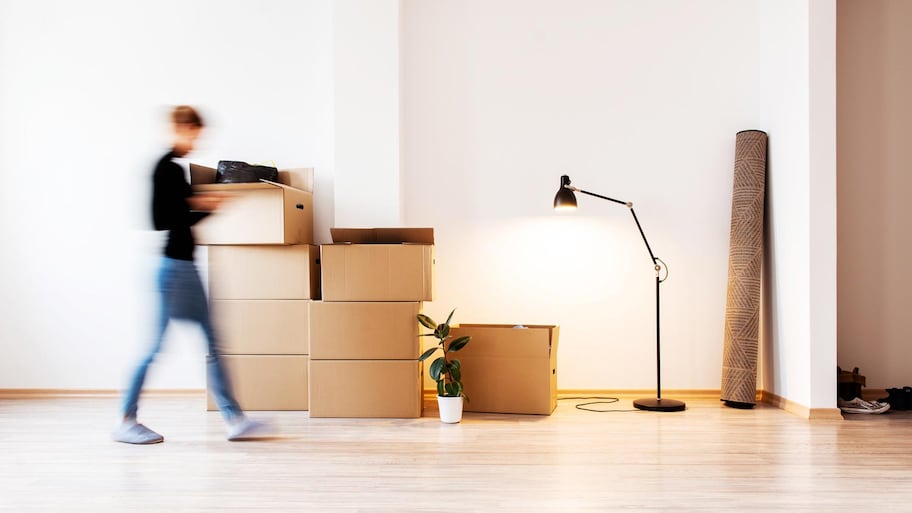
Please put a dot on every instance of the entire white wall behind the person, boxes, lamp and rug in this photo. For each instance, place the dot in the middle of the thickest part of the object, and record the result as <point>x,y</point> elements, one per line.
<point>639,101</point>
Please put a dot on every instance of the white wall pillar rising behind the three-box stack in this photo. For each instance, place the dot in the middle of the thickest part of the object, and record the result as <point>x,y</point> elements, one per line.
<point>366,79</point>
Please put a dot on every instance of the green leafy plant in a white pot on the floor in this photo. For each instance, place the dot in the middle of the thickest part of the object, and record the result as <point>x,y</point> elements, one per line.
<point>444,370</point>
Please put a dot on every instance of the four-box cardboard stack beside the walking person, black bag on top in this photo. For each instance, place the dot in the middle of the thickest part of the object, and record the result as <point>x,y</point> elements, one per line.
<point>263,274</point>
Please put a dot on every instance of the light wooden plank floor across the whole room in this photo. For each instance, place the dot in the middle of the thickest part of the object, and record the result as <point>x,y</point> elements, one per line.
<point>56,455</point>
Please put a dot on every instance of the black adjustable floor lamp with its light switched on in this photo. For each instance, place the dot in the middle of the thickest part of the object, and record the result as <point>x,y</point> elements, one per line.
<point>566,200</point>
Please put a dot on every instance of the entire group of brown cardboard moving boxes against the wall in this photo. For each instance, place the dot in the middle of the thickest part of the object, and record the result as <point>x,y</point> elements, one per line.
<point>355,353</point>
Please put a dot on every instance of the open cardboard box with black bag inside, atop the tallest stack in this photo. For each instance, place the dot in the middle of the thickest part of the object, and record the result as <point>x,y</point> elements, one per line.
<point>257,213</point>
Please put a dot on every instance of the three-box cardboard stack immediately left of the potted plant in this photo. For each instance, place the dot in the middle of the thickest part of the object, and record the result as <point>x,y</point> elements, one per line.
<point>364,334</point>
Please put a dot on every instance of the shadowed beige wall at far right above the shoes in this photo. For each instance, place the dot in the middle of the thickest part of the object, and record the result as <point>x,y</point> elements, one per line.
<point>874,191</point>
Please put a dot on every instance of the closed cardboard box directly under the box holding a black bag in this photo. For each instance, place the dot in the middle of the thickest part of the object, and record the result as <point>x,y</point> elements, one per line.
<point>264,272</point>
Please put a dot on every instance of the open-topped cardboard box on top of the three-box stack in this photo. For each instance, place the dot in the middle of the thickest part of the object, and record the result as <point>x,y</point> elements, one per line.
<point>380,264</point>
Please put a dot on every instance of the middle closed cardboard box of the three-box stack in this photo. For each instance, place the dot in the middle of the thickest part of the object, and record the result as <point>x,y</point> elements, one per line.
<point>364,331</point>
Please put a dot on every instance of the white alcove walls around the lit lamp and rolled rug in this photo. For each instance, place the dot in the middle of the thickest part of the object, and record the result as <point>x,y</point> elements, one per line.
<point>638,101</point>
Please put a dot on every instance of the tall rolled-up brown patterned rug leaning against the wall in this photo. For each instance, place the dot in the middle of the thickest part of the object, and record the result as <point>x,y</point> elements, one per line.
<point>742,311</point>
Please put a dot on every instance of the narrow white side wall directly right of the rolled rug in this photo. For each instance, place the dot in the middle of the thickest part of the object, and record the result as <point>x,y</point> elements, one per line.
<point>787,334</point>
